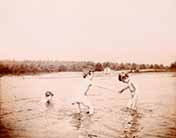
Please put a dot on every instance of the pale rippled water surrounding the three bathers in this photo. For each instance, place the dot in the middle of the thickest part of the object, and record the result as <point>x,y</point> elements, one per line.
<point>21,115</point>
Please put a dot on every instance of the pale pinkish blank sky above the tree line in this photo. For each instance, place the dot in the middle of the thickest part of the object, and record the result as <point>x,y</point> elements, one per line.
<point>141,31</point>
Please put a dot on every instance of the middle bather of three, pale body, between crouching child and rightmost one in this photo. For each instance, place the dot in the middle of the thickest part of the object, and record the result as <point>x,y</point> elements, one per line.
<point>82,99</point>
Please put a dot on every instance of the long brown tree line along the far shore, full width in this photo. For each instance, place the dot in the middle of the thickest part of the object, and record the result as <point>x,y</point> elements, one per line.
<point>28,66</point>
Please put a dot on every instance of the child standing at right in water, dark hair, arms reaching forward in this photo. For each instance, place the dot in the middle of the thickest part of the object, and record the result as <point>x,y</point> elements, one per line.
<point>123,77</point>
